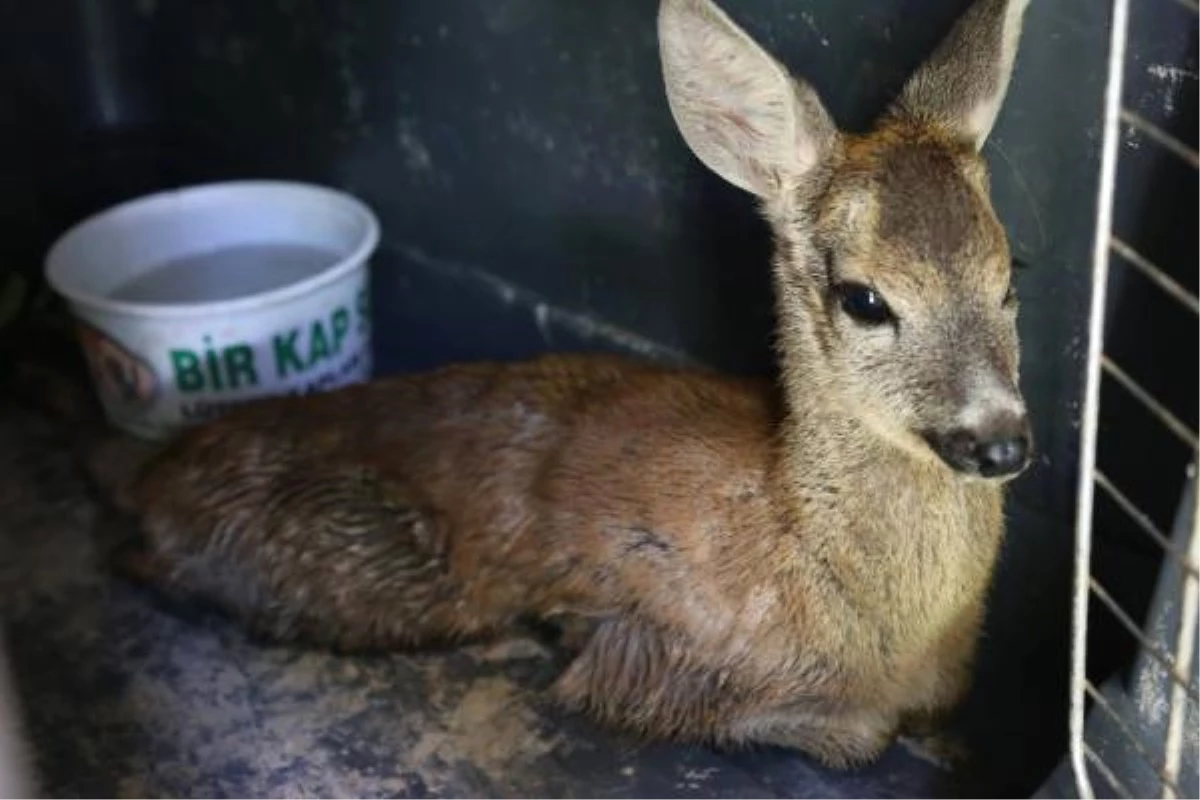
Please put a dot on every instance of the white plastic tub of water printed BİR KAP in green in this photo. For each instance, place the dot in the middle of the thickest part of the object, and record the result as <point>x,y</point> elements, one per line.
<point>194,300</point>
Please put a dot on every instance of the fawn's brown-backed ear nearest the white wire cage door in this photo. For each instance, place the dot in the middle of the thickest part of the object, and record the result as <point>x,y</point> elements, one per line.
<point>962,87</point>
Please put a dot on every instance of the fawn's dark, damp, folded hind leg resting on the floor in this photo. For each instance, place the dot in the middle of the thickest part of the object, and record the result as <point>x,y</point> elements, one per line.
<point>325,556</point>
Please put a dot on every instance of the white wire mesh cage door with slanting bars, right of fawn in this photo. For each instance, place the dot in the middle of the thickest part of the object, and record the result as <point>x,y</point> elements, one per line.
<point>1168,657</point>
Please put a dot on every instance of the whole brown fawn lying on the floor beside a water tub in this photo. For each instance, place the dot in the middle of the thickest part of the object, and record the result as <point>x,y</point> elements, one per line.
<point>805,567</point>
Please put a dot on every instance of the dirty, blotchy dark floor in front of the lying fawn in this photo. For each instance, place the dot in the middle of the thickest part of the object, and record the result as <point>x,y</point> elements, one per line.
<point>128,700</point>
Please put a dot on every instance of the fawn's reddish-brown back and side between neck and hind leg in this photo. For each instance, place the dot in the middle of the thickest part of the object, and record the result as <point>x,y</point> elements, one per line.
<point>578,483</point>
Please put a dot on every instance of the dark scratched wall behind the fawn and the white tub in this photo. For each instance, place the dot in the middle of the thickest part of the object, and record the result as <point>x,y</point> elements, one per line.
<point>536,196</point>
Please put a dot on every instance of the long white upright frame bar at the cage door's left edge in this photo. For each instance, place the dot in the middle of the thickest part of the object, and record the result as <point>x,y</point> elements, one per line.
<point>1089,429</point>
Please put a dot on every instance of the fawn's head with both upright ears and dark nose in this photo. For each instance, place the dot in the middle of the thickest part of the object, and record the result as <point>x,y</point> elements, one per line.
<point>892,270</point>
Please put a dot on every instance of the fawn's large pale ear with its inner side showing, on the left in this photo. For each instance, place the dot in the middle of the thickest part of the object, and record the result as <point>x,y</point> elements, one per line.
<point>737,109</point>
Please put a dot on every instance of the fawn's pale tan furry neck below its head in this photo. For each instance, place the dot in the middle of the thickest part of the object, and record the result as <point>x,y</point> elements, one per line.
<point>905,536</point>
